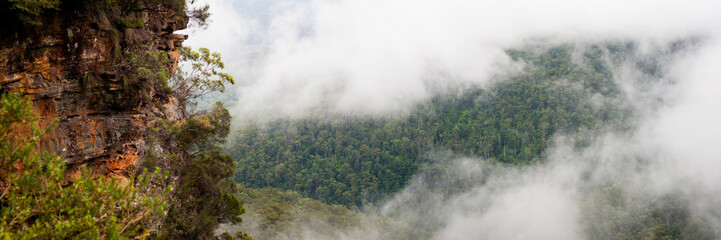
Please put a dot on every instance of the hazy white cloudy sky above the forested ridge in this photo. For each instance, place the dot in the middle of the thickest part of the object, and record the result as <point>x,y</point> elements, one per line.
<point>381,56</point>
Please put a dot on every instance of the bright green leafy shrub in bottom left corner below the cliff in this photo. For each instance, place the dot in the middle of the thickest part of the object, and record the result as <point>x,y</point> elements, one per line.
<point>38,202</point>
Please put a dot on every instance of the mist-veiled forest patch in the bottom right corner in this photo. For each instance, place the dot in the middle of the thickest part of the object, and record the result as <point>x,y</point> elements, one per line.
<point>617,212</point>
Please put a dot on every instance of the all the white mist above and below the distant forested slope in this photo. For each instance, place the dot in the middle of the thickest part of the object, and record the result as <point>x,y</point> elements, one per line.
<point>382,57</point>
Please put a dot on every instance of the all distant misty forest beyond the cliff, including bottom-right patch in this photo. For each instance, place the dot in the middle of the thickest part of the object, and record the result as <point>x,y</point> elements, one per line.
<point>563,93</point>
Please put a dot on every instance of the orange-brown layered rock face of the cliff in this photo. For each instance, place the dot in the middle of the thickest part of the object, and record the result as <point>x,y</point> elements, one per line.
<point>103,119</point>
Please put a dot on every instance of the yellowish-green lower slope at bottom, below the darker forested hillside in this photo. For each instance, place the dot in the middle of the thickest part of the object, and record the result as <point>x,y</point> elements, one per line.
<point>278,214</point>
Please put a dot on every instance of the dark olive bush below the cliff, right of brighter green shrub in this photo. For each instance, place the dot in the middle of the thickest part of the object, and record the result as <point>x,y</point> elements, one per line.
<point>204,197</point>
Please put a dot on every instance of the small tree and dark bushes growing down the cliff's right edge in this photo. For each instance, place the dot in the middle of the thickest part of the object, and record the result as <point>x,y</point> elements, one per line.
<point>190,148</point>
